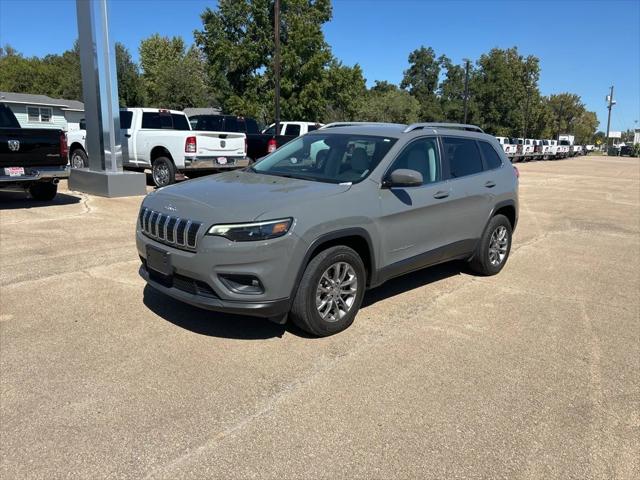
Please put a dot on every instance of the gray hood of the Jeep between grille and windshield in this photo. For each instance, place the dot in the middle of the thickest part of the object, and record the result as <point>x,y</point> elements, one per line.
<point>237,196</point>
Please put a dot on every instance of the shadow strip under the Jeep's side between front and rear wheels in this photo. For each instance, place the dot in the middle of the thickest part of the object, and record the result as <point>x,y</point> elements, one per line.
<point>413,280</point>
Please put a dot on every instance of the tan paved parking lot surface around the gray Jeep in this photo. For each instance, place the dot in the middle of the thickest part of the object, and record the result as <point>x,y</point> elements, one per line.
<point>534,373</point>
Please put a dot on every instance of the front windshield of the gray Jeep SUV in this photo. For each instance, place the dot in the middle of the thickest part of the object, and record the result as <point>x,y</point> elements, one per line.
<point>327,157</point>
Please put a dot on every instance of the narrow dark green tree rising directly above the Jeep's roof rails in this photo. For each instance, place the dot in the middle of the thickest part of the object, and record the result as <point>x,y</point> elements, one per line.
<point>421,81</point>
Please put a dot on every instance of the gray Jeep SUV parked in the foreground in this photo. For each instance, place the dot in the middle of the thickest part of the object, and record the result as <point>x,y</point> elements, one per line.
<point>307,229</point>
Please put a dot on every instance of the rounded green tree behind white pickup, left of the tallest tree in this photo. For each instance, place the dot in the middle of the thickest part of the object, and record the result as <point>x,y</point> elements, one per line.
<point>173,76</point>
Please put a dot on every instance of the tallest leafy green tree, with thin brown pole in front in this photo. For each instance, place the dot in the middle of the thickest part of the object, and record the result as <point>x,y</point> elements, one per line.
<point>237,41</point>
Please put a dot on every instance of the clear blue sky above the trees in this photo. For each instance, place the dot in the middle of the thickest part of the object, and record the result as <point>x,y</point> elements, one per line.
<point>584,46</point>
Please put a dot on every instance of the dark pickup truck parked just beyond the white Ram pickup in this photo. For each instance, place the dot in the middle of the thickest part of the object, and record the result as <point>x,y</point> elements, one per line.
<point>258,144</point>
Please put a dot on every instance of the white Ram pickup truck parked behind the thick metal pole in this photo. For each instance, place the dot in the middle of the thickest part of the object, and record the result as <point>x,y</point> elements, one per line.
<point>162,141</point>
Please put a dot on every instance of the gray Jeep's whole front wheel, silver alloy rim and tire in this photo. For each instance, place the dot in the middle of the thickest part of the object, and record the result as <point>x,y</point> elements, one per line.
<point>330,292</point>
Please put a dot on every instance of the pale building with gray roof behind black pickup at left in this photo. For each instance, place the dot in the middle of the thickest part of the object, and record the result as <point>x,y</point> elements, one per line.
<point>41,111</point>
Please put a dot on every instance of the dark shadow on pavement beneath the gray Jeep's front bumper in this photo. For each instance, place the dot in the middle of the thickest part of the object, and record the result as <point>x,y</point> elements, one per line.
<point>205,322</point>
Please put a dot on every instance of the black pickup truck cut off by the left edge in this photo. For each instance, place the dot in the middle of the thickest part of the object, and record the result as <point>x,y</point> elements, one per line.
<point>31,159</point>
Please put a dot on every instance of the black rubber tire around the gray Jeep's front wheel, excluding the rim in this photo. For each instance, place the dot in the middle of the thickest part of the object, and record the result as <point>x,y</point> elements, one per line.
<point>304,311</point>
